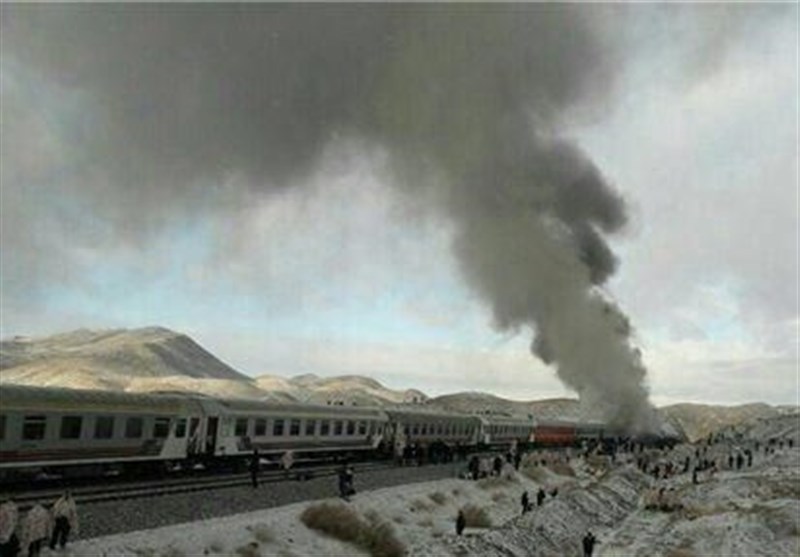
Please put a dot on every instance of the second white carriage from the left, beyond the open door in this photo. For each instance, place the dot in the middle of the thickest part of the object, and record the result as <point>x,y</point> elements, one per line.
<point>237,427</point>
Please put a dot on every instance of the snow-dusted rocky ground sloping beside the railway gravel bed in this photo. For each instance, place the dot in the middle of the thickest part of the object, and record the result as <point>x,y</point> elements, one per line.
<point>751,511</point>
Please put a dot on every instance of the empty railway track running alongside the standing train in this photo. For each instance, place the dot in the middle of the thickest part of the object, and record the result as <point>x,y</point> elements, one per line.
<point>156,488</point>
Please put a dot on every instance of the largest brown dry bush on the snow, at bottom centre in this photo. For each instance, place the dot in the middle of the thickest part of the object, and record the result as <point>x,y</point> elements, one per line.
<point>371,533</point>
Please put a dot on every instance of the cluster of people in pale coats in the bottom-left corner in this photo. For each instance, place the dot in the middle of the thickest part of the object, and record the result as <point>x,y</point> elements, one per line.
<point>27,534</point>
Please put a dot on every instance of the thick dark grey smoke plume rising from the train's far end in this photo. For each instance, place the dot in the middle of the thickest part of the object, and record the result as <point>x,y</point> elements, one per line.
<point>466,100</point>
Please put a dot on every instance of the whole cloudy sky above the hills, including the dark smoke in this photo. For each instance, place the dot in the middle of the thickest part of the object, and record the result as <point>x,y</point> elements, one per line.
<point>338,189</point>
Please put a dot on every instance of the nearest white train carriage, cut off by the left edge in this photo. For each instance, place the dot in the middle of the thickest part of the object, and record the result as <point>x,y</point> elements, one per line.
<point>47,428</point>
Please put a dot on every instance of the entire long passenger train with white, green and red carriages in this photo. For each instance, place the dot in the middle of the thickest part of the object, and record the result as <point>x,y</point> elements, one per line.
<point>55,430</point>
